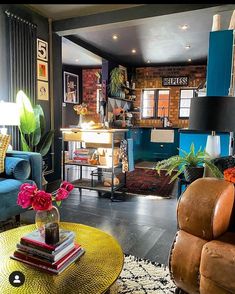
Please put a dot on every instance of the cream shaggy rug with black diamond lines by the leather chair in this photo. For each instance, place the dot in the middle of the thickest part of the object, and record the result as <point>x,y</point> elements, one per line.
<point>141,276</point>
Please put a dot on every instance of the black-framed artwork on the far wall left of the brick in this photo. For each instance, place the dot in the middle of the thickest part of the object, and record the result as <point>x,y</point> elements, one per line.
<point>71,88</point>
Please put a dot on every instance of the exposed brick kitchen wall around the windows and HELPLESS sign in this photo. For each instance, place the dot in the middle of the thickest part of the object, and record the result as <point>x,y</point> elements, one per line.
<point>151,77</point>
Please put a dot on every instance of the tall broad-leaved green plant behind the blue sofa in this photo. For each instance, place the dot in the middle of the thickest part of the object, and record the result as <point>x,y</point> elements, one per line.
<point>32,126</point>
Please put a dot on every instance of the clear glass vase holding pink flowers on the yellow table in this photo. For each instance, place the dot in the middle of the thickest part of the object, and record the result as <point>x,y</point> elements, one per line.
<point>45,217</point>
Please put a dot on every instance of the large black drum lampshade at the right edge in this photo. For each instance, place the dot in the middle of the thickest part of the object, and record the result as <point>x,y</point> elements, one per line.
<point>212,113</point>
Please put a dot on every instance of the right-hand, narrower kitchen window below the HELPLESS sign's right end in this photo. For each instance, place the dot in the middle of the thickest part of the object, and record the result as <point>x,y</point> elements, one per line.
<point>185,100</point>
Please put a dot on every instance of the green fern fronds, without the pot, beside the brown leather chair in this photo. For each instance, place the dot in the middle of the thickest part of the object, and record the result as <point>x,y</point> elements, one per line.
<point>180,163</point>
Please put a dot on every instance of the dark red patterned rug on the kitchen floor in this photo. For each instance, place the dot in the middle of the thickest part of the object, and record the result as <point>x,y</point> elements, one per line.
<point>148,182</point>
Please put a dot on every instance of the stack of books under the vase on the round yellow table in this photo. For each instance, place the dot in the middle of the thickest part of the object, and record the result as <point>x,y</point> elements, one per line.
<point>33,250</point>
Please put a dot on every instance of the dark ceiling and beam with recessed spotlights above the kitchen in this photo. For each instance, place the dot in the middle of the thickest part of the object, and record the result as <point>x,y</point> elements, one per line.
<point>153,30</point>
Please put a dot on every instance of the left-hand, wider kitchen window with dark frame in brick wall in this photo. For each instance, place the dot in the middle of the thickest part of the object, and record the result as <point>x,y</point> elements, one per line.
<point>155,103</point>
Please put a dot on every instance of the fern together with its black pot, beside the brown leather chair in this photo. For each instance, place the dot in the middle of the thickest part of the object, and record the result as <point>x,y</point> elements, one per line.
<point>190,163</point>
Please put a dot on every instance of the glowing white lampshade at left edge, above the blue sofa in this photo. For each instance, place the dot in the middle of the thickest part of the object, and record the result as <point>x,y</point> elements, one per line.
<point>9,114</point>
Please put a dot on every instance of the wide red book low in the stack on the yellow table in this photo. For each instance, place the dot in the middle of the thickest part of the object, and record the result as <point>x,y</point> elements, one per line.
<point>37,260</point>
